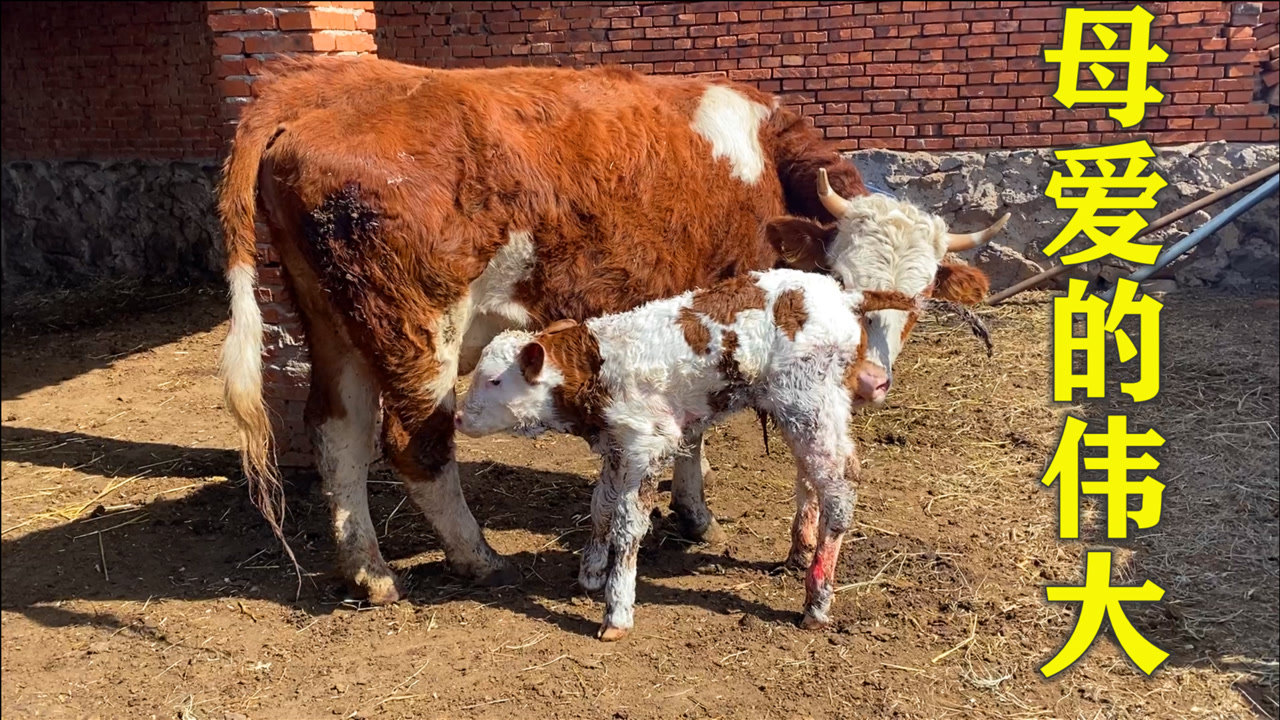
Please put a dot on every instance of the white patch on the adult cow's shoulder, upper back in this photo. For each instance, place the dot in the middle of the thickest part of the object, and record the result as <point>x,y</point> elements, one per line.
<point>732,124</point>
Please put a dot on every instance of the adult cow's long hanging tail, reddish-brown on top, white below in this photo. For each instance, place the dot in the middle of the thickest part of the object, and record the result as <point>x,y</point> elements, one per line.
<point>241,366</point>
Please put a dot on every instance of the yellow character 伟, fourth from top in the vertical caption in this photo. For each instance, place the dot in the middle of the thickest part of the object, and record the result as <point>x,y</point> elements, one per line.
<point>1066,470</point>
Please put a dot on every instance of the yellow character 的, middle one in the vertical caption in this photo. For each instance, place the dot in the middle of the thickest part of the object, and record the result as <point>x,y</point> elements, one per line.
<point>1100,320</point>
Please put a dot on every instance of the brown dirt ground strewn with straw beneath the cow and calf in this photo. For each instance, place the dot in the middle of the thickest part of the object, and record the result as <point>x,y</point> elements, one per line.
<point>139,581</point>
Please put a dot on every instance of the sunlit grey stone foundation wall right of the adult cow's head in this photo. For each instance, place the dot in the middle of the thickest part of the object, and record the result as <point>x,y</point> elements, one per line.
<point>971,189</point>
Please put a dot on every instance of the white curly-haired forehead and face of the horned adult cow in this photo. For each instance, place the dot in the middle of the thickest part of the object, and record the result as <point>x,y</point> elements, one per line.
<point>885,244</point>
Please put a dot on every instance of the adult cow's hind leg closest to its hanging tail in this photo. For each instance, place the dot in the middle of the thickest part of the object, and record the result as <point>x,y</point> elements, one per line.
<point>342,417</point>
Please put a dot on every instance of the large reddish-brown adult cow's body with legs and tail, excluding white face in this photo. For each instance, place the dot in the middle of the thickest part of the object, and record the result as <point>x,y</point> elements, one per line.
<point>419,213</point>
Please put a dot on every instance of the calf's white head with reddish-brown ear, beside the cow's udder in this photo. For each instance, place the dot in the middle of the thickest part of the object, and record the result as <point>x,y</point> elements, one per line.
<point>511,389</point>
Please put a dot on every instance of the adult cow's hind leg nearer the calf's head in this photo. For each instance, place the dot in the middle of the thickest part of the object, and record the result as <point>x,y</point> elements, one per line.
<point>424,455</point>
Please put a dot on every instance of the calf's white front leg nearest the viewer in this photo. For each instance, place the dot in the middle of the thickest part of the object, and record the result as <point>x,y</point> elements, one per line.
<point>637,494</point>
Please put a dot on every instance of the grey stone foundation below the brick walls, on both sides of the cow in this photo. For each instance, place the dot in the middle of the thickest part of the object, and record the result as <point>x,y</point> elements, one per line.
<point>76,222</point>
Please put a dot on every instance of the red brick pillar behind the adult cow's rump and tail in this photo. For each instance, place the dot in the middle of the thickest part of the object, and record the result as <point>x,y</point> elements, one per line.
<point>248,35</point>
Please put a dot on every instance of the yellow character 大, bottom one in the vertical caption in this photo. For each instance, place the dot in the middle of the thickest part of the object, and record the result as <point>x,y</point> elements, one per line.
<point>1100,600</point>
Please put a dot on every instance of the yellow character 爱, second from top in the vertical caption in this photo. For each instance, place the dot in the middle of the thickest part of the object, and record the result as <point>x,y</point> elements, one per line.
<point>1107,193</point>
